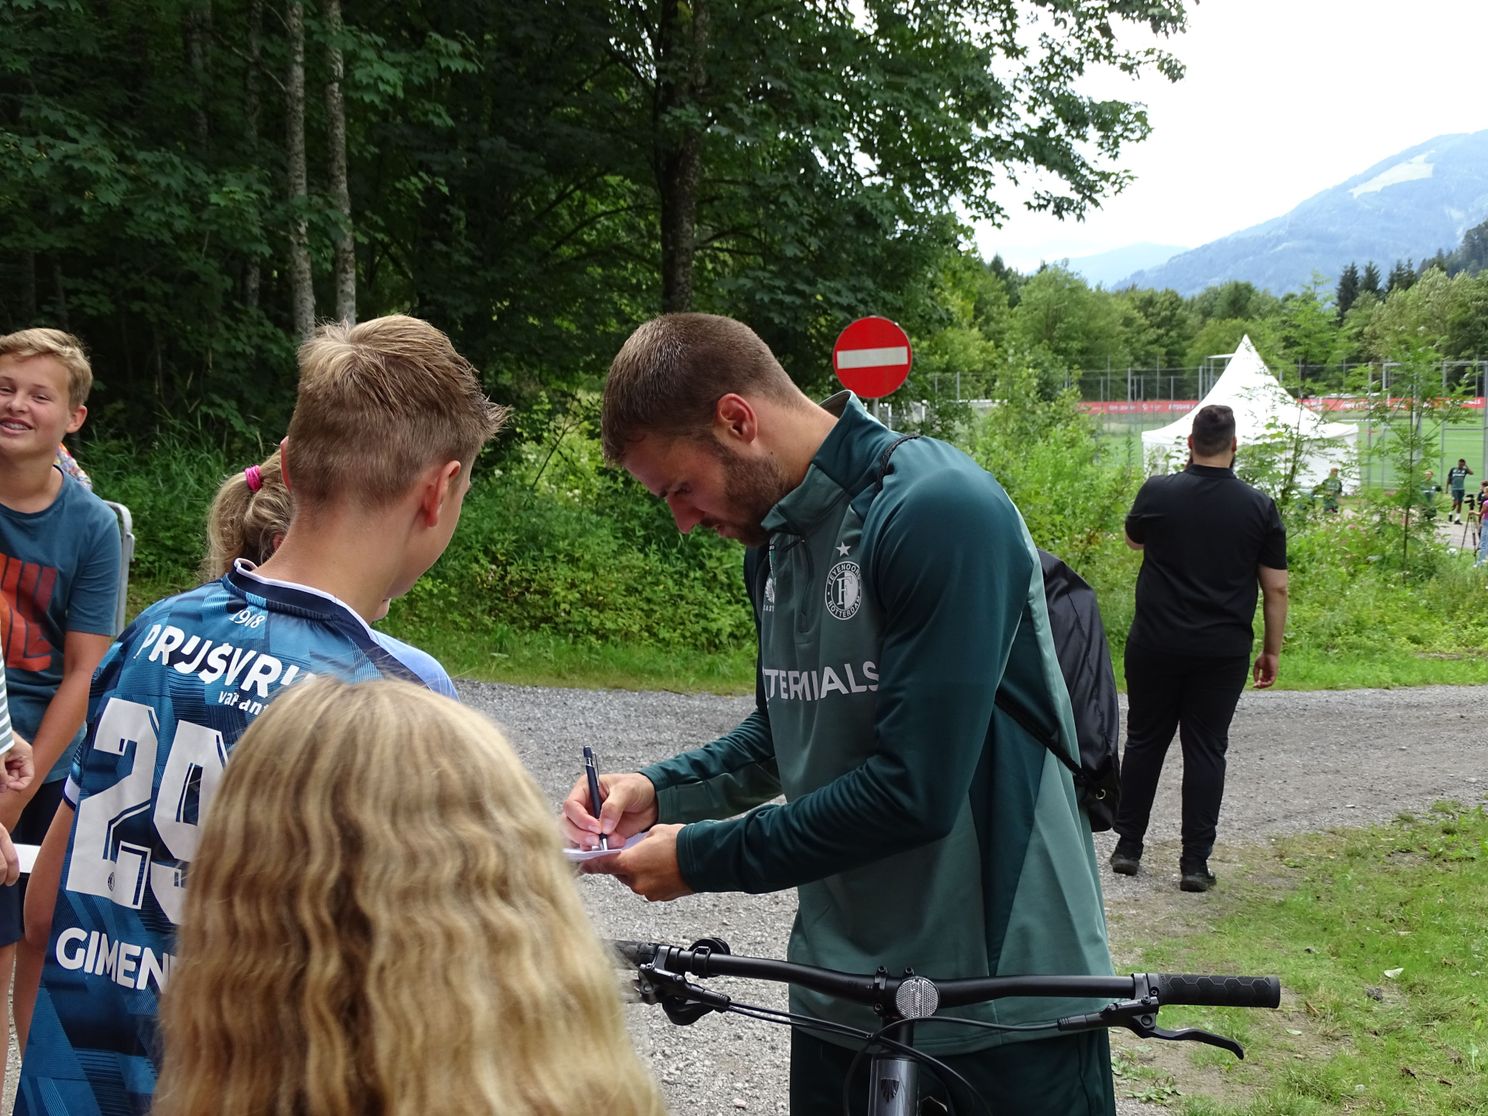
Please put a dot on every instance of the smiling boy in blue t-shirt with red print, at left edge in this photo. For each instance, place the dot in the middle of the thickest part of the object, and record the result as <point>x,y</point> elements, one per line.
<point>59,583</point>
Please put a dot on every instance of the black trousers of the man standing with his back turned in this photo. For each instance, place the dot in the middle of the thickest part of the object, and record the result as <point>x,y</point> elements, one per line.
<point>1197,697</point>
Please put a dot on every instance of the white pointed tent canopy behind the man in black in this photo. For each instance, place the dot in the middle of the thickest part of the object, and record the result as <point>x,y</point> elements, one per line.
<point>1263,411</point>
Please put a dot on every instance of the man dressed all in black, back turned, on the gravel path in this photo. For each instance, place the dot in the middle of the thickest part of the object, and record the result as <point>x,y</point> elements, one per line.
<point>1208,542</point>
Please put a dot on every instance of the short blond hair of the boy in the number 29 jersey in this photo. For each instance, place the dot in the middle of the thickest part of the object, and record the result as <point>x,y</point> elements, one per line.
<point>379,403</point>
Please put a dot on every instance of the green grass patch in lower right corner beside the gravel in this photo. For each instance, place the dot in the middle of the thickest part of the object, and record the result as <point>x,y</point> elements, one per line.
<point>1379,940</point>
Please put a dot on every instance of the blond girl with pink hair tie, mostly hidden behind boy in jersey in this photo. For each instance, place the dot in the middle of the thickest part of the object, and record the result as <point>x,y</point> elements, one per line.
<point>249,520</point>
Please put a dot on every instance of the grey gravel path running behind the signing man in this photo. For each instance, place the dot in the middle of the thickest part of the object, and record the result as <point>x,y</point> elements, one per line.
<point>1298,763</point>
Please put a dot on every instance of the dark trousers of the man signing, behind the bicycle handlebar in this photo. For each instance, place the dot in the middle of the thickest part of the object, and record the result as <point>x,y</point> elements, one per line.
<point>1069,1075</point>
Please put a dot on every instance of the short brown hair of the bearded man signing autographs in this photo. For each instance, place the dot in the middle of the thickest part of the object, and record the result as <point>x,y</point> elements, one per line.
<point>672,373</point>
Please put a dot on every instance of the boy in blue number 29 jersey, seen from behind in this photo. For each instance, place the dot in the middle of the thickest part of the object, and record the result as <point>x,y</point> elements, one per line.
<point>388,425</point>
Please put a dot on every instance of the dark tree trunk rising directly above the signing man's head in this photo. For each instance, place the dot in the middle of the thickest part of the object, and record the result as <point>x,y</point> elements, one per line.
<point>681,44</point>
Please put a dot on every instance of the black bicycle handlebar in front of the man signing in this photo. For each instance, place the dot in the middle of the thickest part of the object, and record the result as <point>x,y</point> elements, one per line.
<point>1169,989</point>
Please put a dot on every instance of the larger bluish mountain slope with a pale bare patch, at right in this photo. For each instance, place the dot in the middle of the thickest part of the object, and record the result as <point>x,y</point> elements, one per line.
<point>1407,206</point>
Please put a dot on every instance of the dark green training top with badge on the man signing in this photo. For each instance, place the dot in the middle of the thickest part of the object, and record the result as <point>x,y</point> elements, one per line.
<point>923,828</point>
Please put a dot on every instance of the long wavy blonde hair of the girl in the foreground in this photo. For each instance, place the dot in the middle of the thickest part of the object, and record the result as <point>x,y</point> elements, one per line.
<point>380,922</point>
